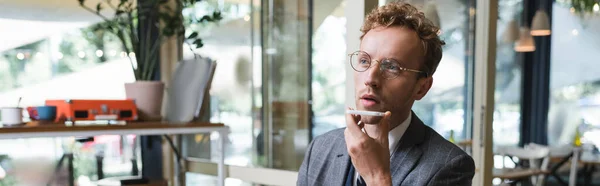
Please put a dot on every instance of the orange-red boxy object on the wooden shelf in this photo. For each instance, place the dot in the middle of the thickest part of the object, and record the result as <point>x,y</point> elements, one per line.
<point>91,110</point>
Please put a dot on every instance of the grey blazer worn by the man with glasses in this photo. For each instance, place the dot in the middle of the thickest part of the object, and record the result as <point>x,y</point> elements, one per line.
<point>423,157</point>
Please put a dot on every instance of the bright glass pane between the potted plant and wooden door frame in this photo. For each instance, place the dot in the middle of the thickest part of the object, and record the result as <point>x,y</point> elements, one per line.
<point>234,44</point>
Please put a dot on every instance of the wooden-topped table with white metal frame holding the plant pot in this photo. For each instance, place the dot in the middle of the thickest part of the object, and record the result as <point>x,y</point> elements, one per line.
<point>39,129</point>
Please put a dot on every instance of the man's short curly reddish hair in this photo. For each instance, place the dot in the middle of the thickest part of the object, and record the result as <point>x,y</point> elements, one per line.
<point>406,15</point>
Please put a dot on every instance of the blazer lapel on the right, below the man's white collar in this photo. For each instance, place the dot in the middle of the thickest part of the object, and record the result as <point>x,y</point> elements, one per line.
<point>407,154</point>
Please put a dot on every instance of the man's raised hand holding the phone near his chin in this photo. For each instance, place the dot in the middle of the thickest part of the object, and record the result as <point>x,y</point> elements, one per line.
<point>370,155</point>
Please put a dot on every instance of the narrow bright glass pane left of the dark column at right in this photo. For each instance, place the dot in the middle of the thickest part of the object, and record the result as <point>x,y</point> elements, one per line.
<point>507,106</point>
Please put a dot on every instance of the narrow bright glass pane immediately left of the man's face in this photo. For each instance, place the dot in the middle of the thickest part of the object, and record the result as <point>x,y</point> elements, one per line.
<point>329,55</point>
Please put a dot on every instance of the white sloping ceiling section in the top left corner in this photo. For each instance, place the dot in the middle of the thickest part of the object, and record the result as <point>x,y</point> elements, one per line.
<point>26,21</point>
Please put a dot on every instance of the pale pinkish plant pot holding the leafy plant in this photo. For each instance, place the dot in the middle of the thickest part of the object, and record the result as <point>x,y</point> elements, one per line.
<point>148,96</point>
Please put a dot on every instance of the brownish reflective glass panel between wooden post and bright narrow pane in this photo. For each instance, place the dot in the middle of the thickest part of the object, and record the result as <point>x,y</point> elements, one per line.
<point>286,82</point>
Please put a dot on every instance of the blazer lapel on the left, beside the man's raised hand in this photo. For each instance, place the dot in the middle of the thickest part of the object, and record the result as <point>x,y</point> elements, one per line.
<point>341,164</point>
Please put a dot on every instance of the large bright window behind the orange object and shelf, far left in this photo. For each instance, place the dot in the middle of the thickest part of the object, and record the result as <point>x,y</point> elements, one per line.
<point>62,60</point>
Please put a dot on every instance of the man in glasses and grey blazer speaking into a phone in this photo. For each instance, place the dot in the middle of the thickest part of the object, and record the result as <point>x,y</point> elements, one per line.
<point>399,52</point>
